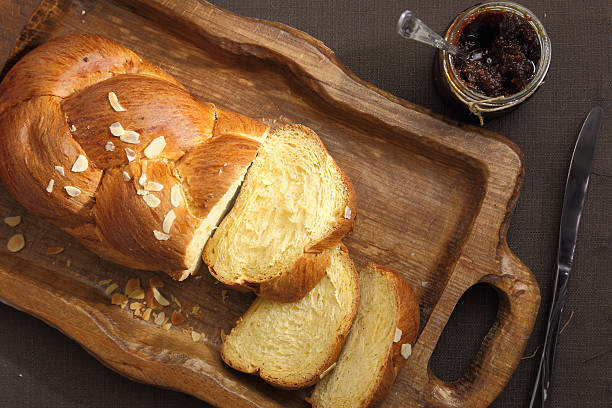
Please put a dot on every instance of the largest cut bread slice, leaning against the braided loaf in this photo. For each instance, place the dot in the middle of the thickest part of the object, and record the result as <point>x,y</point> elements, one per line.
<point>294,205</point>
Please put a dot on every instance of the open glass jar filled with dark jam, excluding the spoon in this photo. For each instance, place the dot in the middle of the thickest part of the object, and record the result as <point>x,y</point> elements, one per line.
<point>509,56</point>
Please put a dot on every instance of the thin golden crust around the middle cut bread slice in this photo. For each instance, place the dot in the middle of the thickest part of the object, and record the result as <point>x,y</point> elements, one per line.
<point>332,353</point>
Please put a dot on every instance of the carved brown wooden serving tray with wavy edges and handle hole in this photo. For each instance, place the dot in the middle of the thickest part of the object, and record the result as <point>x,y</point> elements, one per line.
<point>434,203</point>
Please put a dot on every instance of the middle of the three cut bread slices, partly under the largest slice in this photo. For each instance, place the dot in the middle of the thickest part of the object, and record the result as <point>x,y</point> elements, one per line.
<point>291,345</point>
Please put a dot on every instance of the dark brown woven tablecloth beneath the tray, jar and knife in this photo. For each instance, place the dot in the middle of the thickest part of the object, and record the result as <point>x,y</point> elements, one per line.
<point>39,367</point>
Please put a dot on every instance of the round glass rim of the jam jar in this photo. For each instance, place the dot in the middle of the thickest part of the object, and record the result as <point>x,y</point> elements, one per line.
<point>487,103</point>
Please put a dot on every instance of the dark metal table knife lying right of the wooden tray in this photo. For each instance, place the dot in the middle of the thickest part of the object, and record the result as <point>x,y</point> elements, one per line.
<point>573,203</point>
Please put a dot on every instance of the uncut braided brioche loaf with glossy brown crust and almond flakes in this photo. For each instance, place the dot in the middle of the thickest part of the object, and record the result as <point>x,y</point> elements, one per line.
<point>117,153</point>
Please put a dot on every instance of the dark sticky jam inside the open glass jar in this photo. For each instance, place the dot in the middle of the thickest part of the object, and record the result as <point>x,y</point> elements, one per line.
<point>504,53</point>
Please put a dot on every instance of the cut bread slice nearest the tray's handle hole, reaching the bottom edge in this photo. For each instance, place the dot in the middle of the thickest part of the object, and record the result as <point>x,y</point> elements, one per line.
<point>387,321</point>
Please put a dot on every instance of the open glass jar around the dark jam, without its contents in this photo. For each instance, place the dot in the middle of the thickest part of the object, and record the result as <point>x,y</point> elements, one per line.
<point>451,85</point>
